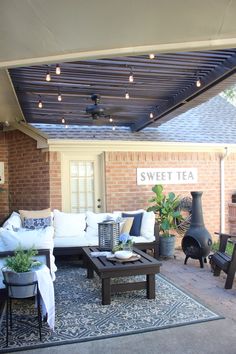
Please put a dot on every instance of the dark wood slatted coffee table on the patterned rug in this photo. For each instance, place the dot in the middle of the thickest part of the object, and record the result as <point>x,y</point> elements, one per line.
<point>107,270</point>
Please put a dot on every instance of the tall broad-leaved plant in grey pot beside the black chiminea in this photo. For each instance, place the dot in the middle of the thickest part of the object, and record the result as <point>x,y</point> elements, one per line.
<point>166,208</point>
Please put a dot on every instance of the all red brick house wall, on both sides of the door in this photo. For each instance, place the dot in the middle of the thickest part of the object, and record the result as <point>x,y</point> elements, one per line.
<point>33,178</point>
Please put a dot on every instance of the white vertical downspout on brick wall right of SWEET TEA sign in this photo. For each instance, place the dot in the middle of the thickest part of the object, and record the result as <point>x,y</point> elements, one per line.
<point>222,189</point>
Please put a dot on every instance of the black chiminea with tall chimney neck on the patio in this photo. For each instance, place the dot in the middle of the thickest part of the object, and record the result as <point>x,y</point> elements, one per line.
<point>197,241</point>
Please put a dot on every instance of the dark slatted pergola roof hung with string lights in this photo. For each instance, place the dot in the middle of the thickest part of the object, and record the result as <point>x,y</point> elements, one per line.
<point>164,83</point>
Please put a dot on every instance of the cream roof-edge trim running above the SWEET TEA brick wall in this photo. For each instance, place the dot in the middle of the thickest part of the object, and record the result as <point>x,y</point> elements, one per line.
<point>144,146</point>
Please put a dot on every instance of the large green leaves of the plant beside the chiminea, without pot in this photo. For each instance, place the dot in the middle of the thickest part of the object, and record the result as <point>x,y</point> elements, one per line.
<point>166,208</point>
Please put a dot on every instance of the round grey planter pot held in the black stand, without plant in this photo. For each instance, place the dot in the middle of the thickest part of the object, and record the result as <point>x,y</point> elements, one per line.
<point>22,291</point>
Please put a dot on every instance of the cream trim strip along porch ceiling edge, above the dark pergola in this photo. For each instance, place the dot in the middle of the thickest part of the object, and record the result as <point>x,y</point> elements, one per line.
<point>137,50</point>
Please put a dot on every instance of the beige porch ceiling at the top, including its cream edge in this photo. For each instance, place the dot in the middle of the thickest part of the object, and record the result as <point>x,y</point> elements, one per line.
<point>44,31</point>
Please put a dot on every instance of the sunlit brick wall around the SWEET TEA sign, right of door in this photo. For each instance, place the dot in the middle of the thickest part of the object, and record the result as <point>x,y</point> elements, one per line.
<point>123,193</point>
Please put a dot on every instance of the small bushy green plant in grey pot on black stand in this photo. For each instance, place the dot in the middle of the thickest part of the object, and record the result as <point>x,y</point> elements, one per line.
<point>19,269</point>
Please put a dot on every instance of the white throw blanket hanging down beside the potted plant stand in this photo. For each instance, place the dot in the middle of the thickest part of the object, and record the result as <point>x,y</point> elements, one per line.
<point>46,290</point>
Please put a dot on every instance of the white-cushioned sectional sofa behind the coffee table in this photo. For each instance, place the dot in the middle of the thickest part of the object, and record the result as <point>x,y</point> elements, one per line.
<point>71,231</point>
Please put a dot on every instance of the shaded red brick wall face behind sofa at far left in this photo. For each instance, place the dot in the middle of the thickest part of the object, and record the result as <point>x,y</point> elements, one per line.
<point>28,173</point>
